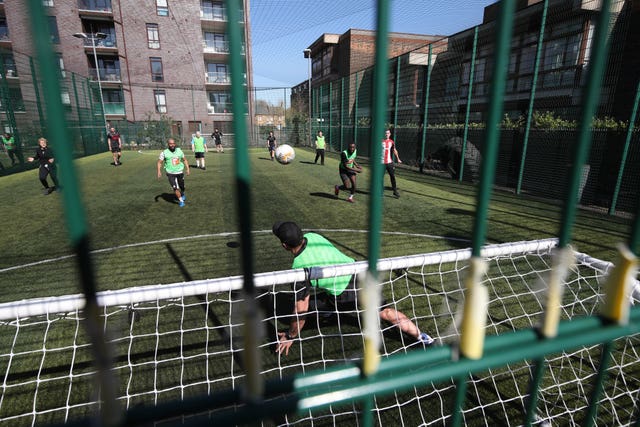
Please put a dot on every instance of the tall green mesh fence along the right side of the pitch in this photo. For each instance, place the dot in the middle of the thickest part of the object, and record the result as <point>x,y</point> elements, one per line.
<point>438,104</point>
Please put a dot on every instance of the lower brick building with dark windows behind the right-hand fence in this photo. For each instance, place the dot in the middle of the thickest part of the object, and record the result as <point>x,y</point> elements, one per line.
<point>562,69</point>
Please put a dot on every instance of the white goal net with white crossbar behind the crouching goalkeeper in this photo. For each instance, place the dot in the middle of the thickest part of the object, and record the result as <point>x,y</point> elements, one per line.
<point>175,341</point>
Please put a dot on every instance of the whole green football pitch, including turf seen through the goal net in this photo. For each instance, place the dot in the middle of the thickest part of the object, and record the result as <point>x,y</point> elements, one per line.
<point>139,236</point>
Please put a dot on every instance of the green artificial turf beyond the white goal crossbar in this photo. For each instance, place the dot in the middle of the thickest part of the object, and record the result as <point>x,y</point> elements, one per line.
<point>128,205</point>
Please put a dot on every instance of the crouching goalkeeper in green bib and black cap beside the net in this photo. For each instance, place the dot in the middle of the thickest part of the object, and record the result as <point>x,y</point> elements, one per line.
<point>314,250</point>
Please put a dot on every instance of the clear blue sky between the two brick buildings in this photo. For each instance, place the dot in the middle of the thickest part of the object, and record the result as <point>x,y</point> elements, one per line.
<point>282,29</point>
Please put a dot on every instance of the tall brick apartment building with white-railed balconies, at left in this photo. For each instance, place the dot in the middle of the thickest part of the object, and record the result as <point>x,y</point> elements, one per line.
<point>153,57</point>
